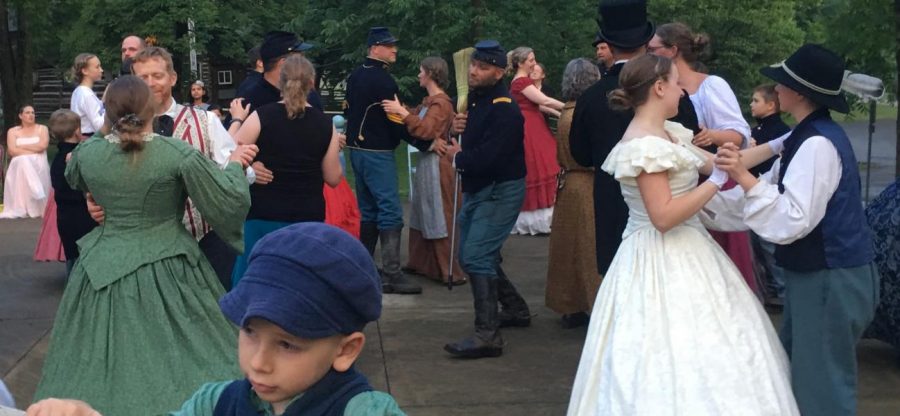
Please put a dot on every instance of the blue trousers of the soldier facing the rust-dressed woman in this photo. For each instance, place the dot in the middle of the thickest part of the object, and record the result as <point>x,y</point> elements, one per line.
<point>377,189</point>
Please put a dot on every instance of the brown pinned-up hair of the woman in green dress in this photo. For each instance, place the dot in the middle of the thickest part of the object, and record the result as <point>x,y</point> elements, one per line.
<point>129,110</point>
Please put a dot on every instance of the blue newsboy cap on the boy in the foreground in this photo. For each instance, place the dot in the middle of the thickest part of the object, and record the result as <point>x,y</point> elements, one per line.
<point>311,279</point>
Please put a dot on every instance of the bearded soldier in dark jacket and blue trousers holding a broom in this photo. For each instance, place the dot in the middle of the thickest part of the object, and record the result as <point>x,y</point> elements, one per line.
<point>491,163</point>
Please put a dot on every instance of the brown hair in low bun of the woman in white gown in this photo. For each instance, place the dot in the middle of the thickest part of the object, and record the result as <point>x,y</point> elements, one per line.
<point>636,79</point>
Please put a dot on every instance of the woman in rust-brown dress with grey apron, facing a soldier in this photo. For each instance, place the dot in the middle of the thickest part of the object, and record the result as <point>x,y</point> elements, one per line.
<point>431,210</point>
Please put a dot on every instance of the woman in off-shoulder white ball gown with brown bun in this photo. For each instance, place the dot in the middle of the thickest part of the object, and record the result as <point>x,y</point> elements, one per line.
<point>675,330</point>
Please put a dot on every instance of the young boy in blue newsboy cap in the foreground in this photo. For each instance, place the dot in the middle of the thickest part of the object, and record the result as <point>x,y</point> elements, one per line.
<point>308,292</point>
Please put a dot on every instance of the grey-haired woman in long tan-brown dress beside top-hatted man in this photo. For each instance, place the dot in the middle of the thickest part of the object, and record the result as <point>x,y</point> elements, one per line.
<point>572,278</point>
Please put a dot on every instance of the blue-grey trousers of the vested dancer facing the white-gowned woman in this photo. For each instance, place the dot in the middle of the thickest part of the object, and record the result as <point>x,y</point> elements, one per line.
<point>825,314</point>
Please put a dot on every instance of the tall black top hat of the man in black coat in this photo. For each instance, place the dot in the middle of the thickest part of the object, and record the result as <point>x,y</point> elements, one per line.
<point>625,23</point>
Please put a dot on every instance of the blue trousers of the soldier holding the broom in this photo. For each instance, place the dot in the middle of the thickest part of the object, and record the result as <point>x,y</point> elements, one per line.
<point>485,220</point>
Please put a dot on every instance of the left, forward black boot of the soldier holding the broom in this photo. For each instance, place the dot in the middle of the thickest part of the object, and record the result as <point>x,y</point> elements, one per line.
<point>487,341</point>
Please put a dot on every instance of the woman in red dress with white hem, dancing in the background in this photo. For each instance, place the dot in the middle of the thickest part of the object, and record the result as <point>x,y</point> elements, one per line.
<point>540,146</point>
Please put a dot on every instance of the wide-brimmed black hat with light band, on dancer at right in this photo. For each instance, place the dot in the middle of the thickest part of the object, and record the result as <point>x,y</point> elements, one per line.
<point>814,72</point>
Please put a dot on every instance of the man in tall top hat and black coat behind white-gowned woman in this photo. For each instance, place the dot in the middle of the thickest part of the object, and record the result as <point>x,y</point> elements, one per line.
<point>596,128</point>
